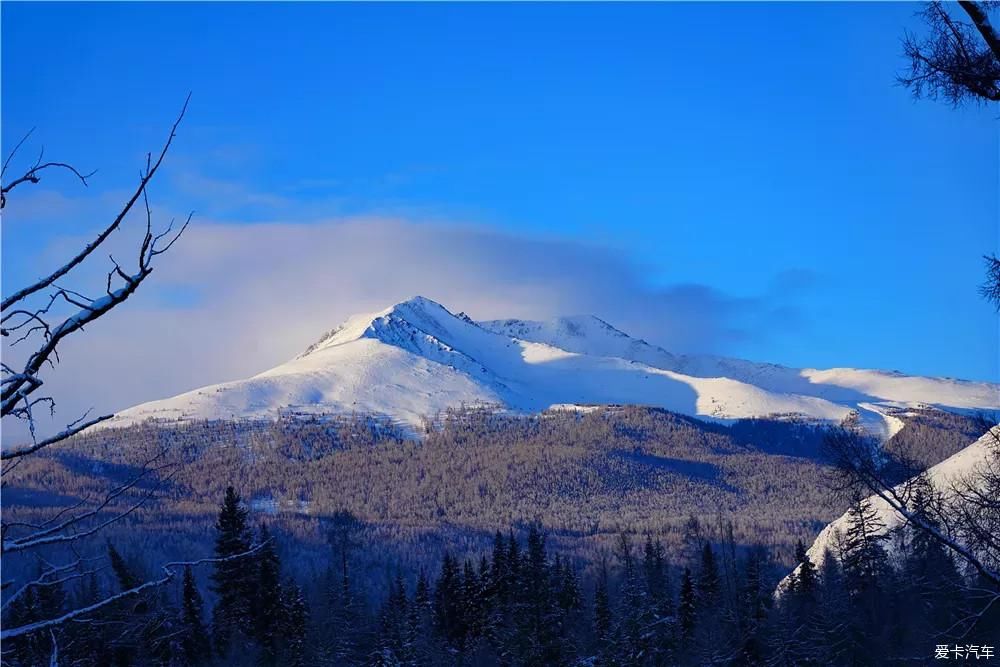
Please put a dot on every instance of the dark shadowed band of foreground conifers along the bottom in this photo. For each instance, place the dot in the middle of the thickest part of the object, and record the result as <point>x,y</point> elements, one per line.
<point>875,599</point>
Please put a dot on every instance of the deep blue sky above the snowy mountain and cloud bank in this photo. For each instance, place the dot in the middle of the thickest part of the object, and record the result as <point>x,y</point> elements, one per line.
<point>753,162</point>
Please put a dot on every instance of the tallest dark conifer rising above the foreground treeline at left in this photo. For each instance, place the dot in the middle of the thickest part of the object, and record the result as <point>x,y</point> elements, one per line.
<point>232,578</point>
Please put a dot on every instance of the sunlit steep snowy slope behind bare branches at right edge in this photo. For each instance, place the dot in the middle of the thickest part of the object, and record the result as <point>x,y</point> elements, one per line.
<point>945,476</point>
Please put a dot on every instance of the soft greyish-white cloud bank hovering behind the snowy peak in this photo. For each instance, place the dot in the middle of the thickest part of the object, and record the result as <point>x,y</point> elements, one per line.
<point>233,300</point>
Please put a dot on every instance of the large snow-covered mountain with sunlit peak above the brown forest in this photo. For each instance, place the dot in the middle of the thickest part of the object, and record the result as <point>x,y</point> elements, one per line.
<point>416,358</point>
